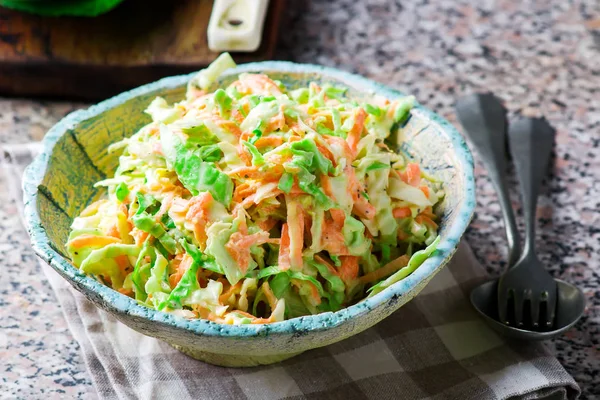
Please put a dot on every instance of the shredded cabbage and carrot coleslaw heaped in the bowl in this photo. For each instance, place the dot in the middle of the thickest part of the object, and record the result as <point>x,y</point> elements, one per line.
<point>254,203</point>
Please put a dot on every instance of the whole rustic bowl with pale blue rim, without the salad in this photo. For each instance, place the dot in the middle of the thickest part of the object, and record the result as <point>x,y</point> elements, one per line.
<point>59,184</point>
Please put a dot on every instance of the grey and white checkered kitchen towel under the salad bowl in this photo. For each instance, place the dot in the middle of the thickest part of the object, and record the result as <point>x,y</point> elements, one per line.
<point>434,347</point>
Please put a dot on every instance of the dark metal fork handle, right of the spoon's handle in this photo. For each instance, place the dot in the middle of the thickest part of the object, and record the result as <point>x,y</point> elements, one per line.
<point>531,141</point>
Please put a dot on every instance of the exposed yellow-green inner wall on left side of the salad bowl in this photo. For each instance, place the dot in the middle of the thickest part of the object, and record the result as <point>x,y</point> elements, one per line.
<point>79,159</point>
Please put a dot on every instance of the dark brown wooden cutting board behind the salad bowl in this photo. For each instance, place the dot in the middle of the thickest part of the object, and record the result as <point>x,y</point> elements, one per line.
<point>93,58</point>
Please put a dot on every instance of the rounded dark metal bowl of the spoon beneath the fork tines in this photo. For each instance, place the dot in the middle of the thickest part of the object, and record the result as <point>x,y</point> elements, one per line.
<point>570,308</point>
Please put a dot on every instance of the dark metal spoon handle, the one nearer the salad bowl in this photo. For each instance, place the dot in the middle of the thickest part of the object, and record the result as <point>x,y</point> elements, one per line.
<point>484,120</point>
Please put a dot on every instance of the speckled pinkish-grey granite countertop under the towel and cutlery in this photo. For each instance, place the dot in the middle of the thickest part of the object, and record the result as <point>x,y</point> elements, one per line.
<point>540,58</point>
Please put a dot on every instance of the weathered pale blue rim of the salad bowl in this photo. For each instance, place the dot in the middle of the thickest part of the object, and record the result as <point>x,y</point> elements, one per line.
<point>122,304</point>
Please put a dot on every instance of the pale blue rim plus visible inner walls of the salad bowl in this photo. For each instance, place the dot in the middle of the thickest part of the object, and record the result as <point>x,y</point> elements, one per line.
<point>59,185</point>
